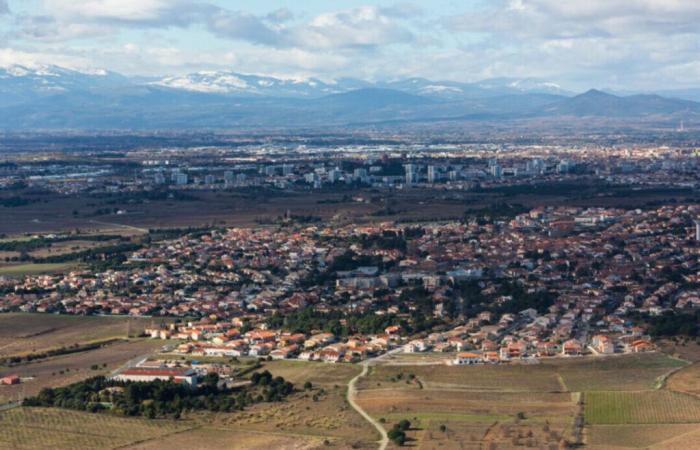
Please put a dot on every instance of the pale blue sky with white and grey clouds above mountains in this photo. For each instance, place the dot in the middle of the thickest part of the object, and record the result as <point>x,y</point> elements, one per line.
<point>578,44</point>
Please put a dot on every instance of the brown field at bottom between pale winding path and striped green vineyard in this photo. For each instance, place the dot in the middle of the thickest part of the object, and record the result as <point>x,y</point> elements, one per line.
<point>474,419</point>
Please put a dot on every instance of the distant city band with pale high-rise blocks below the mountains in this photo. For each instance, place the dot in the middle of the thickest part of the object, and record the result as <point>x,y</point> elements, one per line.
<point>380,166</point>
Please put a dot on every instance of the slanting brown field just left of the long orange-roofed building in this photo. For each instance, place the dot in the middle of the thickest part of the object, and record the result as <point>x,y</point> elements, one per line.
<point>75,367</point>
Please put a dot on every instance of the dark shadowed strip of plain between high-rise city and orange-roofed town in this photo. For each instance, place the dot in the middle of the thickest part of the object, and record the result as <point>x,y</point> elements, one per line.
<point>236,208</point>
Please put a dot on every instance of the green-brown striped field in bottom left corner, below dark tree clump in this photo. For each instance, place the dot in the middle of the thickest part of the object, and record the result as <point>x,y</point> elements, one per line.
<point>38,428</point>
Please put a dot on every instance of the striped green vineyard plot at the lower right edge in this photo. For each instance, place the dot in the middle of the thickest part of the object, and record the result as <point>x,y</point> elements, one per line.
<point>648,407</point>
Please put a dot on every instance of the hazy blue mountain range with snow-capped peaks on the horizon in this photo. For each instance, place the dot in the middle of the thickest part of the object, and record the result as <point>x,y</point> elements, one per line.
<point>53,97</point>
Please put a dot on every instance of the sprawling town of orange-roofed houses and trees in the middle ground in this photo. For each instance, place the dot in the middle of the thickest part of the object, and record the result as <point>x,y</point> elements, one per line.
<point>547,282</point>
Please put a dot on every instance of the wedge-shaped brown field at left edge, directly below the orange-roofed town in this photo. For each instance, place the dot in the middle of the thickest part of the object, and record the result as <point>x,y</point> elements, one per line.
<point>21,334</point>
